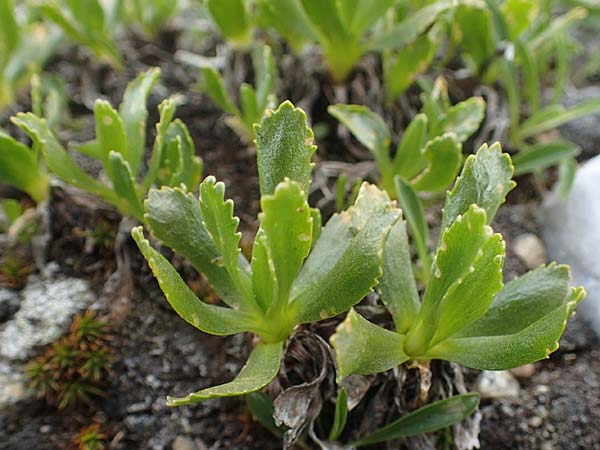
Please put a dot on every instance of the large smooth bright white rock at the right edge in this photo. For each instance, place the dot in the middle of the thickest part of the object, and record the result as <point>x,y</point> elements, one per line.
<point>571,231</point>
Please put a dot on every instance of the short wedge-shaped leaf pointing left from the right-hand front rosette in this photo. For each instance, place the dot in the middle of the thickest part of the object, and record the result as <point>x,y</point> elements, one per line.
<point>364,348</point>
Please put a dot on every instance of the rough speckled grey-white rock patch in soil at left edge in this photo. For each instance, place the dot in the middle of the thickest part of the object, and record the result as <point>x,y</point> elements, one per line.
<point>47,306</point>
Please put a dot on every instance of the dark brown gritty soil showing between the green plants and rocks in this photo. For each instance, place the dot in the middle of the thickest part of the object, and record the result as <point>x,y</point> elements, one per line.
<point>157,354</point>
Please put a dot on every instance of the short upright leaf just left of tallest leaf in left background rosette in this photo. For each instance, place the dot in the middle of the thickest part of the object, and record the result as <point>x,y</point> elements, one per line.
<point>110,132</point>
